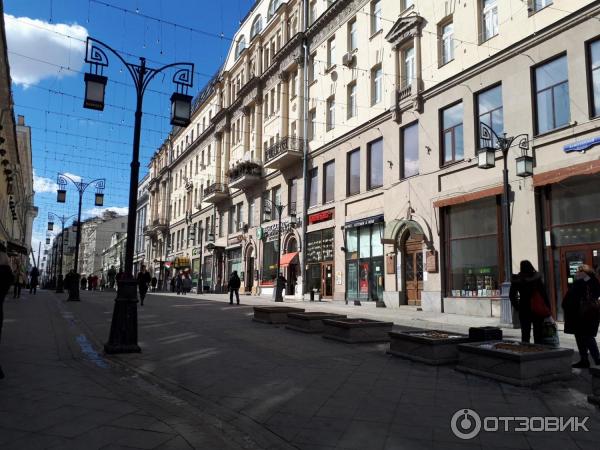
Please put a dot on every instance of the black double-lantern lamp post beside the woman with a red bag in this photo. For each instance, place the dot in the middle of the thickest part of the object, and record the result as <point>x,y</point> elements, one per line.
<point>486,159</point>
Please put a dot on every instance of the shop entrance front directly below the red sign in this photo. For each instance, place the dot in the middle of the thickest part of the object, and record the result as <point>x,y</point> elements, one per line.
<point>319,262</point>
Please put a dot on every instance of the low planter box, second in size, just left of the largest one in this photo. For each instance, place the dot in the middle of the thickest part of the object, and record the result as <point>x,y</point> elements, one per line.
<point>433,347</point>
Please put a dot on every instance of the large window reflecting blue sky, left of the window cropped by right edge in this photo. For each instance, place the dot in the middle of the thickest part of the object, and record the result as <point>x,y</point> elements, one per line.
<point>552,95</point>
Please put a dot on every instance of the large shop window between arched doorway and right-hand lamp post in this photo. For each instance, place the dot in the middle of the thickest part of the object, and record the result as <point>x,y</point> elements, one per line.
<point>473,249</point>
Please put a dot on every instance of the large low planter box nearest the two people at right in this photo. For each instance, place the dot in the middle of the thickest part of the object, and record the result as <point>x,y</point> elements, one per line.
<point>514,362</point>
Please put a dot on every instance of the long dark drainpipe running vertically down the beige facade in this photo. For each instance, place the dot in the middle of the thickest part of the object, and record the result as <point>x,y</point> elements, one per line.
<point>305,133</point>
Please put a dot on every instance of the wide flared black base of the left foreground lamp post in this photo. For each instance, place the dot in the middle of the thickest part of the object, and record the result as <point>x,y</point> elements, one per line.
<point>123,329</point>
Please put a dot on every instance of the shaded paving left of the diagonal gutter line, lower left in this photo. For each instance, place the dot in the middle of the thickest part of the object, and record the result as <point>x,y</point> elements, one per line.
<point>59,392</point>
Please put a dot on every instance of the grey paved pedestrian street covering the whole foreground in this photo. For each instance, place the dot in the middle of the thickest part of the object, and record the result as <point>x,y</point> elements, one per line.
<point>206,368</point>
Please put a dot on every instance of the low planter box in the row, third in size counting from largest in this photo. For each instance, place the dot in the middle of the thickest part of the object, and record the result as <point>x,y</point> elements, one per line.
<point>354,331</point>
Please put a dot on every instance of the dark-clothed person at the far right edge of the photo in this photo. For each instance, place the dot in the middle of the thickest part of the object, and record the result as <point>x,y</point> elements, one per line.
<point>582,314</point>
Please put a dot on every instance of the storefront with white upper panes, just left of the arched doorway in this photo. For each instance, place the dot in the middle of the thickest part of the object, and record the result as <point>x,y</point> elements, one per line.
<point>364,259</point>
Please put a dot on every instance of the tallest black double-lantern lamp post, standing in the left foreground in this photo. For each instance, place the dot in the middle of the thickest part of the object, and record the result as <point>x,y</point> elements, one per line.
<point>123,330</point>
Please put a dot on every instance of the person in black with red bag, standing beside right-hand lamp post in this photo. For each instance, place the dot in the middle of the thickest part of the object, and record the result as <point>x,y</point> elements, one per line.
<point>529,297</point>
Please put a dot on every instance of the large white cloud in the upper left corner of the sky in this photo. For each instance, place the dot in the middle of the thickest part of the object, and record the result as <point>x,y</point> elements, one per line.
<point>32,41</point>
